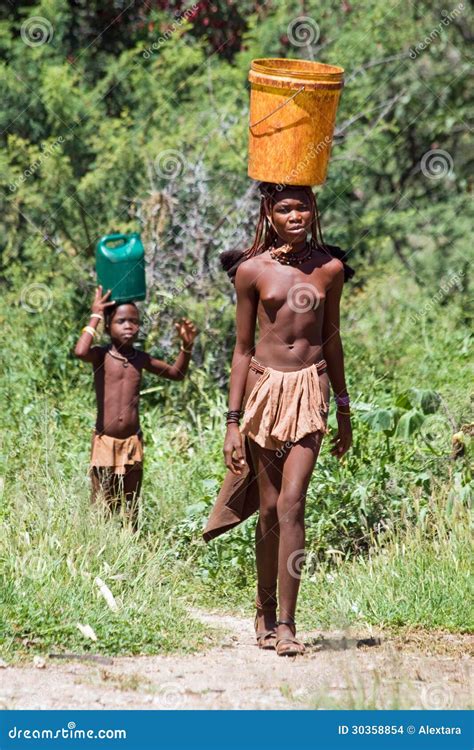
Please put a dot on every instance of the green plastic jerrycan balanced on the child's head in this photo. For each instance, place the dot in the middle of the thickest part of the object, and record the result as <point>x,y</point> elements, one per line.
<point>120,266</point>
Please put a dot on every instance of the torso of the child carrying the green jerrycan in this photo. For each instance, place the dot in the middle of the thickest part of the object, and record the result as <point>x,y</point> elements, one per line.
<point>117,389</point>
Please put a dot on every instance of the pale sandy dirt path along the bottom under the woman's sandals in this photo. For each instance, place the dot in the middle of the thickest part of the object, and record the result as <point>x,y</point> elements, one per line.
<point>433,671</point>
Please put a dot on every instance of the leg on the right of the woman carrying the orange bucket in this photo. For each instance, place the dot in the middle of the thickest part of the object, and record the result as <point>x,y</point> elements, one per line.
<point>297,471</point>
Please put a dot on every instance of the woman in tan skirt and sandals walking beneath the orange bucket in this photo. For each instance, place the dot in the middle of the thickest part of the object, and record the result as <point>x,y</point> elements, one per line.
<point>280,388</point>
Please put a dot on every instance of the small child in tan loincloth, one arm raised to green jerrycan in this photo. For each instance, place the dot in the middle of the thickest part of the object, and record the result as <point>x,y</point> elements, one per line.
<point>116,466</point>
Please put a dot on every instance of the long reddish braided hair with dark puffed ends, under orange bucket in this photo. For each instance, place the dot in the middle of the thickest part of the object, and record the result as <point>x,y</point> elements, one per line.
<point>265,234</point>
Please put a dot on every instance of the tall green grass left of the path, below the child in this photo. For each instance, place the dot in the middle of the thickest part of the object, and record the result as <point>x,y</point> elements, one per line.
<point>53,546</point>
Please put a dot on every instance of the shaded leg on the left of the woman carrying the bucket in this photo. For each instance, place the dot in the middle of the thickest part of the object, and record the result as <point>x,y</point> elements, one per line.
<point>268,468</point>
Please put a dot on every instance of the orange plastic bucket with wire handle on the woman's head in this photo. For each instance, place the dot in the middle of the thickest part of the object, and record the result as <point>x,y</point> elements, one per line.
<point>293,106</point>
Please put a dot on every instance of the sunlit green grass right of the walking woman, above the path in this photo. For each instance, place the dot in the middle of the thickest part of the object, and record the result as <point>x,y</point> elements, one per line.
<point>416,577</point>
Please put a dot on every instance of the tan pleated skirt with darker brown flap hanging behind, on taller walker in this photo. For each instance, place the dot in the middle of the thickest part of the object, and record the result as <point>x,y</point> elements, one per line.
<point>282,407</point>
